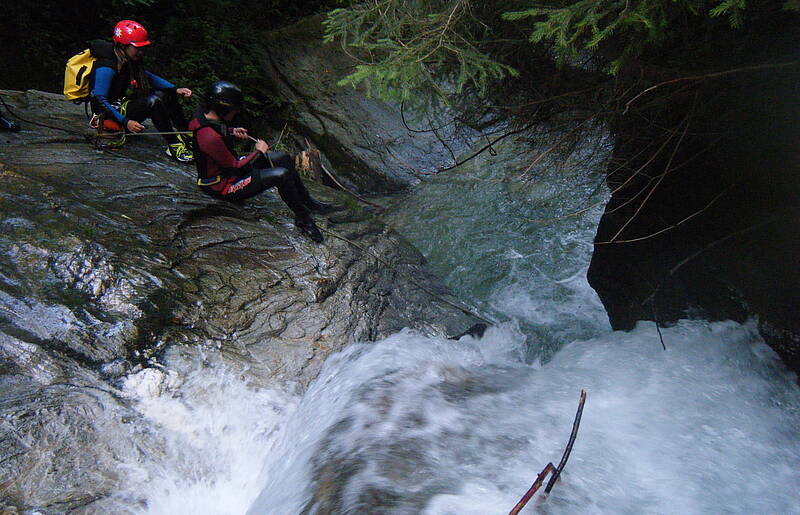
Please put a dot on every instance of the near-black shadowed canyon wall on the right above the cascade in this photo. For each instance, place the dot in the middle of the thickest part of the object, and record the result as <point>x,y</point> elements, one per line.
<point>712,228</point>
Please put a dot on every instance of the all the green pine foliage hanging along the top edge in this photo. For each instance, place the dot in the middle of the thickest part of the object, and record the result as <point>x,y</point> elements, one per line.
<point>413,50</point>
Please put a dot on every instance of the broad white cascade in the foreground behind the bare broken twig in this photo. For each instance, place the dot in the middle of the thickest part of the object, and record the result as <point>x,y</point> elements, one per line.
<point>438,427</point>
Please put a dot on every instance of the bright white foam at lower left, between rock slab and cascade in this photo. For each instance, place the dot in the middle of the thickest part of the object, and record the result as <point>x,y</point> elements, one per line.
<point>219,432</point>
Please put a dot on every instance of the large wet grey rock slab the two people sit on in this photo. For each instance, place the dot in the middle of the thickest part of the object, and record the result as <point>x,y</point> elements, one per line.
<point>113,260</point>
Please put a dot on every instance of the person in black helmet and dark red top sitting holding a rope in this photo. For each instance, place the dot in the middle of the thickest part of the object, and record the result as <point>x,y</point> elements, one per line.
<point>223,175</point>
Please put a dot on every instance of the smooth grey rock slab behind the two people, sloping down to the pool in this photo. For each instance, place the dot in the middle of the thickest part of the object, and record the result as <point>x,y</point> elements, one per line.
<point>363,138</point>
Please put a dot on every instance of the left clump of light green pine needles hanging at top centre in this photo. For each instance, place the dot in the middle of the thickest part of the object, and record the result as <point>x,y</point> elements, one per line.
<point>405,47</point>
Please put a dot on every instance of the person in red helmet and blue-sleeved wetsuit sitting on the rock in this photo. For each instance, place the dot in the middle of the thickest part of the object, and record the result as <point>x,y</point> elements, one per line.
<point>126,93</point>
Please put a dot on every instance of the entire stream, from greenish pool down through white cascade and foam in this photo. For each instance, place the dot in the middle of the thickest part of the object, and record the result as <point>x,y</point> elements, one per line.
<point>418,425</point>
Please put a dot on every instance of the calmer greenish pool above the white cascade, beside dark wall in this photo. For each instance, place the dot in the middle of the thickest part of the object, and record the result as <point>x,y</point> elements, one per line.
<point>514,239</point>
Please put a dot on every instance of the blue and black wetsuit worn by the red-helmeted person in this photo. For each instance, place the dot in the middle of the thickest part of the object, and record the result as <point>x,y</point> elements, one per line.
<point>159,102</point>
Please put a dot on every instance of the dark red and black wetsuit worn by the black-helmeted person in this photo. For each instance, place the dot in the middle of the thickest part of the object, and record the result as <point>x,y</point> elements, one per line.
<point>224,176</point>
